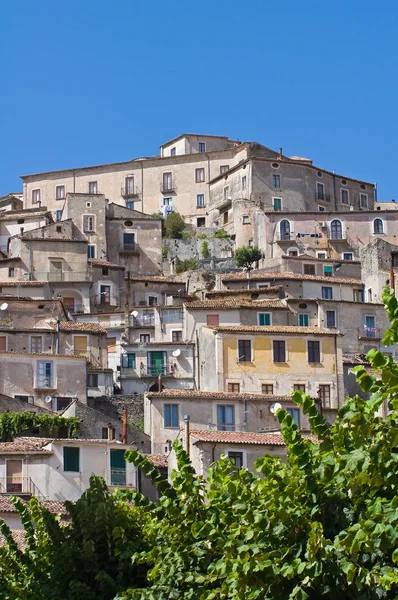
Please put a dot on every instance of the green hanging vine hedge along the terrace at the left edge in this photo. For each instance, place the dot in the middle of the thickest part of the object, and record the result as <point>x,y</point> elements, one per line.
<point>14,423</point>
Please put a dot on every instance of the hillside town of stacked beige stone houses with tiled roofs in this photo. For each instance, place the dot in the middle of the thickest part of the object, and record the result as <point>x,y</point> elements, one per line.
<point>142,337</point>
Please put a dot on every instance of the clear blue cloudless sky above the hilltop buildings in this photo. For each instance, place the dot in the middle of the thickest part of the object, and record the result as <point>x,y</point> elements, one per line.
<point>90,82</point>
